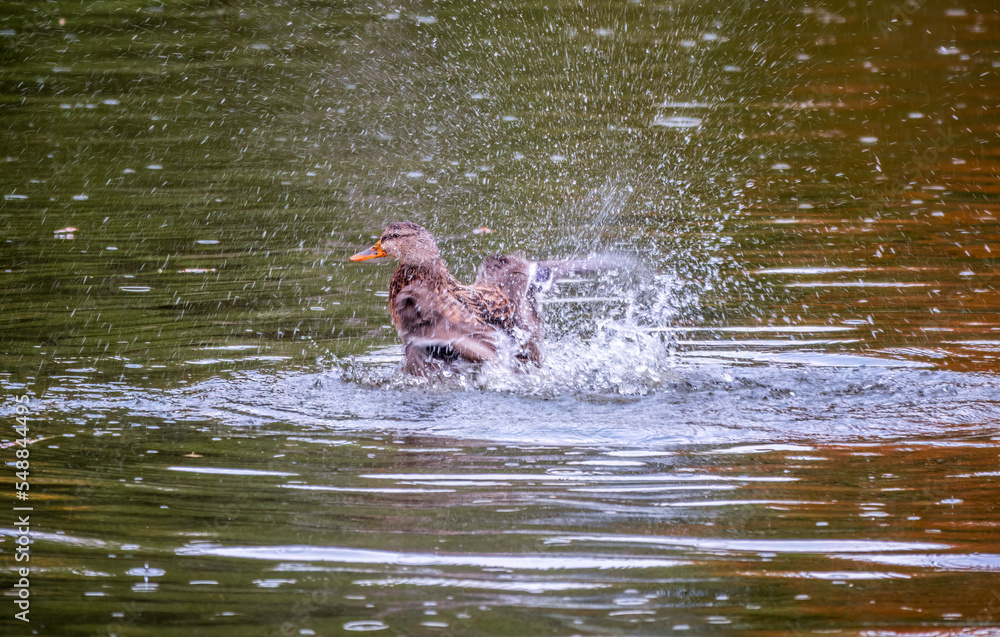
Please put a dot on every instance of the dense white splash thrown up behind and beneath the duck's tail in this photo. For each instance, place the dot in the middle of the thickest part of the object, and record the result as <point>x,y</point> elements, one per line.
<point>607,331</point>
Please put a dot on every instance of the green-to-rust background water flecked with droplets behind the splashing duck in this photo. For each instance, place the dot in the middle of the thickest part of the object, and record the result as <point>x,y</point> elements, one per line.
<point>290,133</point>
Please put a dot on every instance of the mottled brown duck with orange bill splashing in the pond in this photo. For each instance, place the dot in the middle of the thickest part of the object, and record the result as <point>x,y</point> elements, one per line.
<point>445,325</point>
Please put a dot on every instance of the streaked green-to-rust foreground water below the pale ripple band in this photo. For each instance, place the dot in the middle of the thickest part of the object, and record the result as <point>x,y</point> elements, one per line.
<point>523,534</point>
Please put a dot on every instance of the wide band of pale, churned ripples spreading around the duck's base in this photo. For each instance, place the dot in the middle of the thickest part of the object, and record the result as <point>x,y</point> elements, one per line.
<point>755,397</point>
